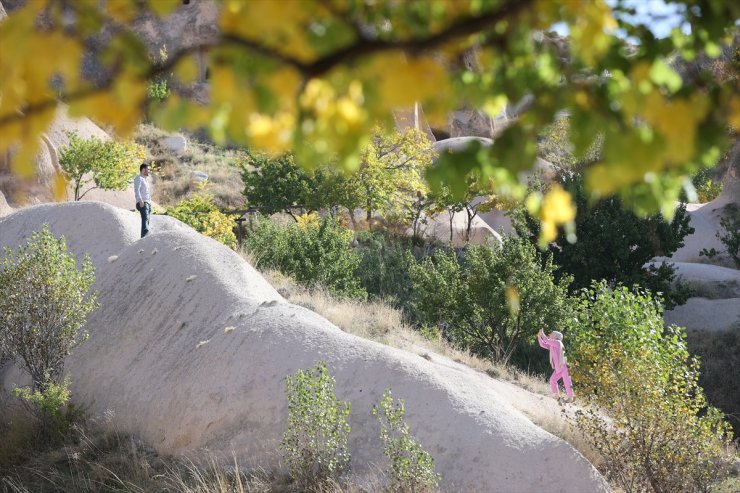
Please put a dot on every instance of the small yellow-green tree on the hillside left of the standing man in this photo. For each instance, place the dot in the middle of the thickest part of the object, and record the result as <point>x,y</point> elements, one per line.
<point>109,165</point>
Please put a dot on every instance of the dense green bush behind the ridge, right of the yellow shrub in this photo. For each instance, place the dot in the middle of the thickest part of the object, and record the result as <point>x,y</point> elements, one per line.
<point>314,253</point>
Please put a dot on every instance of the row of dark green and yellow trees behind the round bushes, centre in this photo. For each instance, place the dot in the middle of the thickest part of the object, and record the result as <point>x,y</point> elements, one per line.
<point>389,180</point>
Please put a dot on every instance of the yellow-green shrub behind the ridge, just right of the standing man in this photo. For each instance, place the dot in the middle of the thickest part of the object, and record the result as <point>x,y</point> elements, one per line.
<point>200,212</point>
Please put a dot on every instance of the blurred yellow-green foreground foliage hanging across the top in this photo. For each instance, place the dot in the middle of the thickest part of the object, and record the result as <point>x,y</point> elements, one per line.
<point>316,76</point>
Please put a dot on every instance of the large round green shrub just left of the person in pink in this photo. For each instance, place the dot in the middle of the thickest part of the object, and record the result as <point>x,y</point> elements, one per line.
<point>490,299</point>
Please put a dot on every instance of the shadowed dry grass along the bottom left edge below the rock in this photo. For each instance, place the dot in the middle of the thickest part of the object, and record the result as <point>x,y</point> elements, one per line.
<point>93,460</point>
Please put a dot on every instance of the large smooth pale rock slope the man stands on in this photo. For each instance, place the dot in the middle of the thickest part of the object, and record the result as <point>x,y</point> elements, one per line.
<point>161,362</point>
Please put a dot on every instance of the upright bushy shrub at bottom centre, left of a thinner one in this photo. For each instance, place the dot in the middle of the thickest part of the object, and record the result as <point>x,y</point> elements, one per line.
<point>315,442</point>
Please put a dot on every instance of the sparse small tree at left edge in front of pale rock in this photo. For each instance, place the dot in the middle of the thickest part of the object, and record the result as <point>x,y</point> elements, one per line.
<point>44,301</point>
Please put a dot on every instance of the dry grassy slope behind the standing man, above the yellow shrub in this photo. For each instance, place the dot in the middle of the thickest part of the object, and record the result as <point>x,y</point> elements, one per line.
<point>173,173</point>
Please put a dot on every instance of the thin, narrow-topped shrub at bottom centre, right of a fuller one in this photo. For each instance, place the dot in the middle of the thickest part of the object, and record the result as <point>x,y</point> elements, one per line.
<point>411,468</point>
